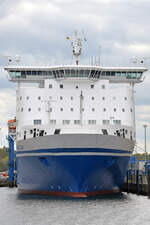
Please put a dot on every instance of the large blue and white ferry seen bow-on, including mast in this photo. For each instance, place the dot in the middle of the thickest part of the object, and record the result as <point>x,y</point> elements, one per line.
<point>75,126</point>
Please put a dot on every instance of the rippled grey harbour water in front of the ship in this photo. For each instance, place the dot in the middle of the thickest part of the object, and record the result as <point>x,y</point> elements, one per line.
<point>125,209</point>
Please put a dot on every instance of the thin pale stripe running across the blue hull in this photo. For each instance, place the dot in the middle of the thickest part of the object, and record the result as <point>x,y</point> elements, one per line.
<point>73,154</point>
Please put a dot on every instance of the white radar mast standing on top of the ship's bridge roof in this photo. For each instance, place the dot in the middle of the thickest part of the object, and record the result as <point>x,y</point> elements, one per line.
<point>76,44</point>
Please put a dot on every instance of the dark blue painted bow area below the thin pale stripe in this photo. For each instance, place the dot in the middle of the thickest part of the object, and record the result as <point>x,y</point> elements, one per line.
<point>71,173</point>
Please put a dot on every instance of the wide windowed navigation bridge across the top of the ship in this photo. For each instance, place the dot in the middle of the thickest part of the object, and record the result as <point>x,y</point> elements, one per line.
<point>113,74</point>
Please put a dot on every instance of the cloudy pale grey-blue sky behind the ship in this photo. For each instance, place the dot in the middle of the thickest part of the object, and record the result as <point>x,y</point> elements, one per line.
<point>36,30</point>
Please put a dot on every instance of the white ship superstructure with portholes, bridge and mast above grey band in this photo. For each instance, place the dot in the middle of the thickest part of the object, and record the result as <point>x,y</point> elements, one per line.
<point>75,99</point>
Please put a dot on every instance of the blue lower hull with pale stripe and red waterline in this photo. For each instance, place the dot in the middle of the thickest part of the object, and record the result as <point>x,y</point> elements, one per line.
<point>73,172</point>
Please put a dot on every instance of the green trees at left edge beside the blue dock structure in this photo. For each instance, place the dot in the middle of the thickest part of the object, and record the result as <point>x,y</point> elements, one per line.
<point>3,159</point>
